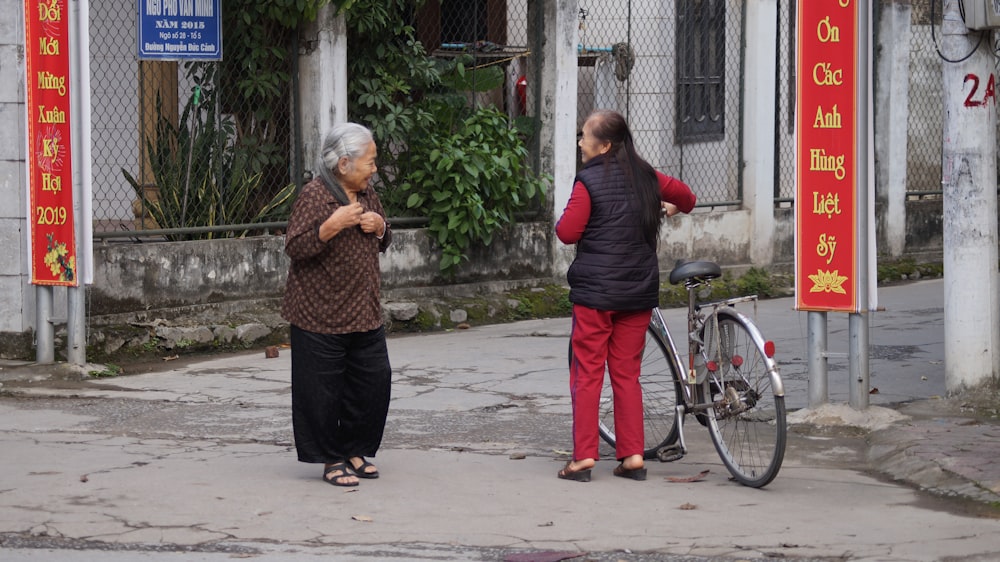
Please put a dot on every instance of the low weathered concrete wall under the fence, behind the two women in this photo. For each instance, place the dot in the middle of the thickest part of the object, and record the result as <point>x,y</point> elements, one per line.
<point>139,278</point>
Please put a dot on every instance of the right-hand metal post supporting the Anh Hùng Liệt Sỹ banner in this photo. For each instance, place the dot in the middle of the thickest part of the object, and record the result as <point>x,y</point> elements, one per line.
<point>858,321</point>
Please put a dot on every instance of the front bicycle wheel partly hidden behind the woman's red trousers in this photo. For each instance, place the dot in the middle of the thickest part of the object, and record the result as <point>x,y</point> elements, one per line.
<point>659,397</point>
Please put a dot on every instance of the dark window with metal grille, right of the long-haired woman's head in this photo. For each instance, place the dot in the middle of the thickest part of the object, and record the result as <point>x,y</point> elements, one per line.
<point>701,54</point>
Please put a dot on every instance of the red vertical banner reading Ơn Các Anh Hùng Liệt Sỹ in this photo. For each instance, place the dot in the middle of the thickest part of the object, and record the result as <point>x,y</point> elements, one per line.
<point>826,219</point>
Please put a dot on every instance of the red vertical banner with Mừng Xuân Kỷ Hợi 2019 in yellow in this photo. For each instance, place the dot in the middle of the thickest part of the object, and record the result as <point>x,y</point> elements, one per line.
<point>50,177</point>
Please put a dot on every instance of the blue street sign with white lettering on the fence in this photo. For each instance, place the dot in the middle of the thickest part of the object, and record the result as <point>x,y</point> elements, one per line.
<point>180,30</point>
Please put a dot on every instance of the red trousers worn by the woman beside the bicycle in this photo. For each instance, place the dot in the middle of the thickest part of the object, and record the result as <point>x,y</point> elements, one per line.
<point>614,339</point>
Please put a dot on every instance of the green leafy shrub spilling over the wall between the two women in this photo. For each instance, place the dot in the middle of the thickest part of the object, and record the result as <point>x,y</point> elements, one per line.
<point>461,167</point>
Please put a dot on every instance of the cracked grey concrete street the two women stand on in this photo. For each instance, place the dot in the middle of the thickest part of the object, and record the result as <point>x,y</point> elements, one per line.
<point>198,458</point>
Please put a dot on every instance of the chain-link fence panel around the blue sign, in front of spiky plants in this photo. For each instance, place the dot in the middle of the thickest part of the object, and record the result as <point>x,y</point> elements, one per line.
<point>189,146</point>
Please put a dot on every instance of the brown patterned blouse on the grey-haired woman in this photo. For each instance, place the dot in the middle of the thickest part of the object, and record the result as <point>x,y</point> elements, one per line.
<point>333,287</point>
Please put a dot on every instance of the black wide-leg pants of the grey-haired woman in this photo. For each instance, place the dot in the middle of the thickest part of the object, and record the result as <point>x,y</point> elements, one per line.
<point>340,394</point>
